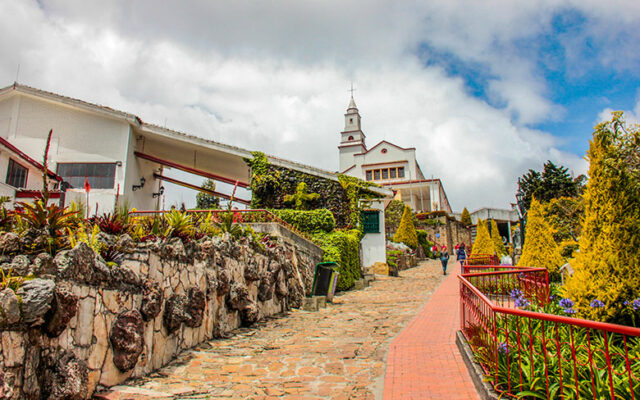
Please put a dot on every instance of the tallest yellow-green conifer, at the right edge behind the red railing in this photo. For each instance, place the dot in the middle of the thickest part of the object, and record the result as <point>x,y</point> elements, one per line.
<point>606,267</point>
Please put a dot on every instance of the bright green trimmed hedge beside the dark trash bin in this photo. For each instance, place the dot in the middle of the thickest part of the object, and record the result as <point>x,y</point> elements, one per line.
<point>342,247</point>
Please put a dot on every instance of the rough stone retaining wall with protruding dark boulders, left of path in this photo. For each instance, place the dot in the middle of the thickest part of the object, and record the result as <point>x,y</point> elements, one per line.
<point>83,324</point>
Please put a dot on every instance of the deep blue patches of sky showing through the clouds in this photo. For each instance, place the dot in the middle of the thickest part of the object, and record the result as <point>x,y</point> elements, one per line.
<point>580,85</point>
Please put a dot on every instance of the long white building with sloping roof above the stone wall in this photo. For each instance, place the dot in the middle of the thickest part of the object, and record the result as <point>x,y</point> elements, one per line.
<point>120,156</point>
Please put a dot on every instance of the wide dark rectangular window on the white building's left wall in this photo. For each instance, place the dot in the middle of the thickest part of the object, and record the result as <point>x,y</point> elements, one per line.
<point>99,175</point>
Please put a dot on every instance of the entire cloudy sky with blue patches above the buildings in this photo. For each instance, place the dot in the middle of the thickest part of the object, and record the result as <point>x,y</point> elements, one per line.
<point>484,90</point>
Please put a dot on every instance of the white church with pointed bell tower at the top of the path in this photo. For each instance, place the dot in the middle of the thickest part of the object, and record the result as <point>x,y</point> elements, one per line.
<point>389,165</point>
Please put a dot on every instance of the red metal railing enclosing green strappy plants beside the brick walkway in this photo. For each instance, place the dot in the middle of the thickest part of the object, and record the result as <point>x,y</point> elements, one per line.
<point>538,355</point>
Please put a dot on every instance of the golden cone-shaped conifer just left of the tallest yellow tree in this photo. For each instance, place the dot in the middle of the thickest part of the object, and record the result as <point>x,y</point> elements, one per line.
<point>540,249</point>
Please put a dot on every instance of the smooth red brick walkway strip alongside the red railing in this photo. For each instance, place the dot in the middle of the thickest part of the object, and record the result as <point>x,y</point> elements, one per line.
<point>424,361</point>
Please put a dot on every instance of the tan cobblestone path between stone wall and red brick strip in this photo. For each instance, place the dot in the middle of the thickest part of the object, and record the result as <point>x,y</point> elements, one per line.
<point>336,353</point>
